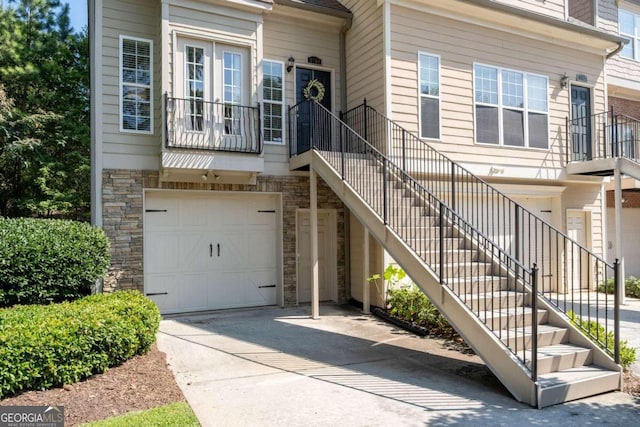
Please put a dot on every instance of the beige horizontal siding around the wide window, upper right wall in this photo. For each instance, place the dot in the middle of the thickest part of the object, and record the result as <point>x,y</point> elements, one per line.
<point>460,45</point>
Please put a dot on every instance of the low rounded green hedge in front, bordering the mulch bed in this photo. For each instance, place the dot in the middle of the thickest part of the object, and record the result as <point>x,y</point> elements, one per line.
<point>44,346</point>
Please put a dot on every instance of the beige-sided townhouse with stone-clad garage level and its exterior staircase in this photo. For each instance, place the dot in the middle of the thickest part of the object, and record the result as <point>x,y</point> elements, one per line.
<point>236,164</point>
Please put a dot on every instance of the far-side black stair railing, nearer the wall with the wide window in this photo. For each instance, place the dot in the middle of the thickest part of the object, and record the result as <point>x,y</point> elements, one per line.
<point>568,273</point>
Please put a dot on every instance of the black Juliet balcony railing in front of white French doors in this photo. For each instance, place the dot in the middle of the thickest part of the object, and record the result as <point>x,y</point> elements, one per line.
<point>217,126</point>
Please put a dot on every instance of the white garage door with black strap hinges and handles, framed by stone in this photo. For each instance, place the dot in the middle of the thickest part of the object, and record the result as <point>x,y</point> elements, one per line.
<point>210,251</point>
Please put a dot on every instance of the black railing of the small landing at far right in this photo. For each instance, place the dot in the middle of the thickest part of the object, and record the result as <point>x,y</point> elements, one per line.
<point>603,136</point>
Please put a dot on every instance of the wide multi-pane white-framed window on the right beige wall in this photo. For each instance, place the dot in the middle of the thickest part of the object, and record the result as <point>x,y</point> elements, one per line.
<point>511,107</point>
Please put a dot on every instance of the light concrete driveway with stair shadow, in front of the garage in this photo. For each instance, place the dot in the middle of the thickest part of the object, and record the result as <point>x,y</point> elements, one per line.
<point>278,367</point>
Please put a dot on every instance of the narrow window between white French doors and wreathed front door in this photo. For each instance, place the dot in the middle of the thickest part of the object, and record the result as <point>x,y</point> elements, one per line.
<point>273,100</point>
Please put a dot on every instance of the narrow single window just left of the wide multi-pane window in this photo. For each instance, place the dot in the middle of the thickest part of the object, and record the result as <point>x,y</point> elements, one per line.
<point>429,81</point>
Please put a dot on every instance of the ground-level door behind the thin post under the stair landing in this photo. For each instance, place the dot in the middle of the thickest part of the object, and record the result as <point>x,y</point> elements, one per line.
<point>326,256</point>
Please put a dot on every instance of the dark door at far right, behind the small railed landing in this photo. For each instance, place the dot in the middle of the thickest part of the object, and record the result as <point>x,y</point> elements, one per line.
<point>581,121</point>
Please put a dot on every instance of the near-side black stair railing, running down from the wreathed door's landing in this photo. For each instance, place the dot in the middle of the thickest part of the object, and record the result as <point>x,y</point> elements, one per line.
<point>430,231</point>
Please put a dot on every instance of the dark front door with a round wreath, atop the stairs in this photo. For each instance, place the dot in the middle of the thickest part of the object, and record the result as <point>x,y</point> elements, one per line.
<point>312,124</point>
